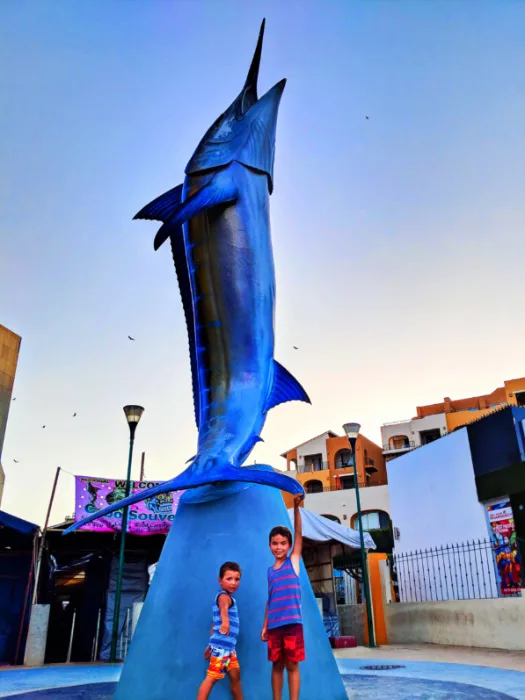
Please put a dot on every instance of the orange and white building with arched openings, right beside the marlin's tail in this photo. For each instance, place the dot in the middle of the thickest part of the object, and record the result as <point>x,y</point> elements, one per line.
<point>326,463</point>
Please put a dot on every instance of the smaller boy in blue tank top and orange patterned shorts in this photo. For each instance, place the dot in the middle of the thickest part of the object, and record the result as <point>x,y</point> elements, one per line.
<point>224,632</point>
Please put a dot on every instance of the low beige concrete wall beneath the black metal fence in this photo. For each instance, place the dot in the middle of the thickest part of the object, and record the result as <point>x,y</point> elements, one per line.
<point>497,624</point>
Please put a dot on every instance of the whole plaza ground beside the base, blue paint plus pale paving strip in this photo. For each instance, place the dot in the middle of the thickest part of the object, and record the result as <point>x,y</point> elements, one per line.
<point>422,672</point>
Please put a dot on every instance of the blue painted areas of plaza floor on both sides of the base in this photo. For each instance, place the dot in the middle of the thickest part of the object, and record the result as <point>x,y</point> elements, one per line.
<point>416,681</point>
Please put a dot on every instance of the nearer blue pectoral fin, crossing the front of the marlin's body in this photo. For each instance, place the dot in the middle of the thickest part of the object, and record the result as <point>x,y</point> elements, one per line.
<point>221,189</point>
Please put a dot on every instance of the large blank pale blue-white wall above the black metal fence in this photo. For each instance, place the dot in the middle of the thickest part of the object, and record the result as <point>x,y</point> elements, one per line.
<point>433,497</point>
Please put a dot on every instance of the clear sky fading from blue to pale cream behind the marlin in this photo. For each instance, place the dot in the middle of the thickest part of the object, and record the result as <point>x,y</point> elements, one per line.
<point>399,239</point>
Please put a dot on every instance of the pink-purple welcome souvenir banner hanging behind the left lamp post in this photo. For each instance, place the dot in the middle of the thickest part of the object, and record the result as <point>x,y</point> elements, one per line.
<point>153,516</point>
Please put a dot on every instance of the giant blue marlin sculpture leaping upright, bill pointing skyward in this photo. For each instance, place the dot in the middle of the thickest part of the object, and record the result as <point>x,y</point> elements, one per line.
<point>218,223</point>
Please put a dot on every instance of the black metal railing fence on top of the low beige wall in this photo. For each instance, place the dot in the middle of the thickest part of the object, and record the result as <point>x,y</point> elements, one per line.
<point>455,572</point>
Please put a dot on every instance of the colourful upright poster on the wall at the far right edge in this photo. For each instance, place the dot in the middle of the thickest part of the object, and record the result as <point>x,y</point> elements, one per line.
<point>506,549</point>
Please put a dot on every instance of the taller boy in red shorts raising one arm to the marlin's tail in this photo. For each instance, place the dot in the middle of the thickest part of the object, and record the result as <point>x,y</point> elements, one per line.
<point>283,622</point>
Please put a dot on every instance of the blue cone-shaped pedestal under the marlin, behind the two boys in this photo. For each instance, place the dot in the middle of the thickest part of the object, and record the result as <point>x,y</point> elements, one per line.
<point>166,657</point>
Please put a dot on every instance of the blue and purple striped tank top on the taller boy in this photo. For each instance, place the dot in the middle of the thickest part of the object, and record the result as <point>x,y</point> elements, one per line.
<point>284,596</point>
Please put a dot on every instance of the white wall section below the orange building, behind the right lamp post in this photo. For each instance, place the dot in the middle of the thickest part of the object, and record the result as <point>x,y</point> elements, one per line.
<point>343,505</point>
